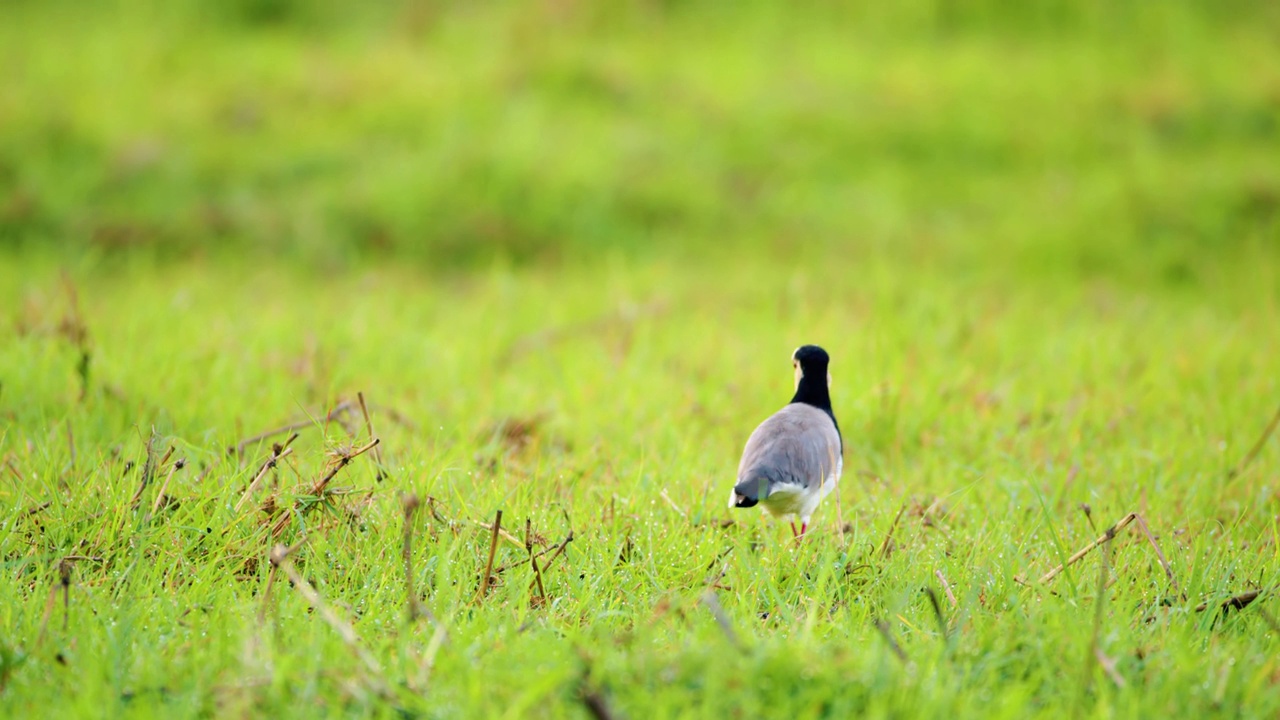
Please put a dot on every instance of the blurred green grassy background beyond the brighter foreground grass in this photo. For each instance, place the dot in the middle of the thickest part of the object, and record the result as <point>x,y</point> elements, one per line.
<point>1058,139</point>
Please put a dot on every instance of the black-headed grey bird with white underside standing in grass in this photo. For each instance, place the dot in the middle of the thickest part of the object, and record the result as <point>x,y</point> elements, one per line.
<point>793,461</point>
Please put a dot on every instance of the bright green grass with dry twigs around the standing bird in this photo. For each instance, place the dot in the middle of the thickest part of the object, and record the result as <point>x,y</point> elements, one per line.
<point>993,413</point>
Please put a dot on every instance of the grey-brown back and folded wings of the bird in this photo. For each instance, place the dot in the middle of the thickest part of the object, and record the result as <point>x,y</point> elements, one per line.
<point>798,445</point>
